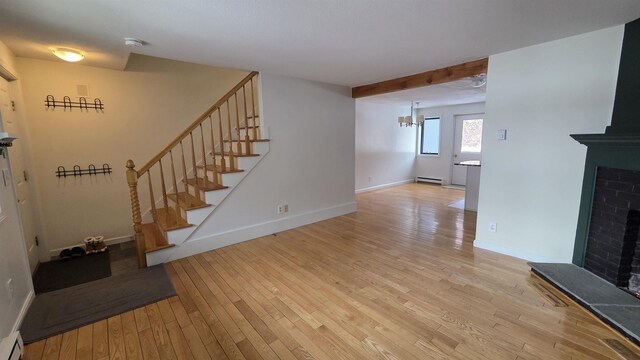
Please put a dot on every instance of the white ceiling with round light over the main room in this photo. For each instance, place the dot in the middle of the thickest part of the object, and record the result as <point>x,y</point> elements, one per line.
<point>347,42</point>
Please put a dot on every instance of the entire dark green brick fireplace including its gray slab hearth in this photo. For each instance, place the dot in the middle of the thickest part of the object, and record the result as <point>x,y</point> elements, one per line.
<point>606,253</point>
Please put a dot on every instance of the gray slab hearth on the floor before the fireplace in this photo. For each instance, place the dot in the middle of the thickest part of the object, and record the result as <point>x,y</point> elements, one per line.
<point>616,307</point>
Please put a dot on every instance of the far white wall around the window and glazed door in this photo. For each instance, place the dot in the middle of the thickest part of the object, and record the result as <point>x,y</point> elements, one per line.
<point>440,166</point>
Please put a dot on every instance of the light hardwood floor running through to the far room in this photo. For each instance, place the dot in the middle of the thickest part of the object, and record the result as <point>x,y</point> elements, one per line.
<point>399,279</point>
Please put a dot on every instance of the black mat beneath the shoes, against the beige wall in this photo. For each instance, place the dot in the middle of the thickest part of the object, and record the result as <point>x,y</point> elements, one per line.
<point>55,275</point>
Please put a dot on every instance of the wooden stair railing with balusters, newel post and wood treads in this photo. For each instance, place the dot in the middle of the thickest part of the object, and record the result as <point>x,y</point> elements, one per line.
<point>169,215</point>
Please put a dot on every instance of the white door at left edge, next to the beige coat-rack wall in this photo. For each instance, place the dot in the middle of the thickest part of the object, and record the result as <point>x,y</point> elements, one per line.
<point>20,175</point>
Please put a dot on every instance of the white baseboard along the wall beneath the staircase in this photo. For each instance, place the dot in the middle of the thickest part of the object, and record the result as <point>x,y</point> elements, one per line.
<point>197,246</point>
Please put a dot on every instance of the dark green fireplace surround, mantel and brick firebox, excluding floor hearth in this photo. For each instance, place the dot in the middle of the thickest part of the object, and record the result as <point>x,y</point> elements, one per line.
<point>609,219</point>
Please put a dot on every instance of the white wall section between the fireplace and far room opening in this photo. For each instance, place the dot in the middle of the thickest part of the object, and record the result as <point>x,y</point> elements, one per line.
<point>530,183</point>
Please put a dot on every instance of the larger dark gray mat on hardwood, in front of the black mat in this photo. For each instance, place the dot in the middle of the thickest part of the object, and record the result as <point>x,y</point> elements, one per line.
<point>66,309</point>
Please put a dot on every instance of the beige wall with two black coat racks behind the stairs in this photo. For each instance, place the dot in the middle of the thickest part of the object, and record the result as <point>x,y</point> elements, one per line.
<point>146,106</point>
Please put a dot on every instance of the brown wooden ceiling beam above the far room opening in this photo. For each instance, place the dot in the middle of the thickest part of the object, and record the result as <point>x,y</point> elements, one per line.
<point>438,76</point>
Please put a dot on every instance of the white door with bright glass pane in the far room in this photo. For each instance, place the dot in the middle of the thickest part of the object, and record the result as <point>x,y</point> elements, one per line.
<point>466,145</point>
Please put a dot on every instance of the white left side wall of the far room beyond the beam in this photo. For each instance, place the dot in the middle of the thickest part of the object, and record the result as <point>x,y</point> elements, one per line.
<point>385,152</point>
